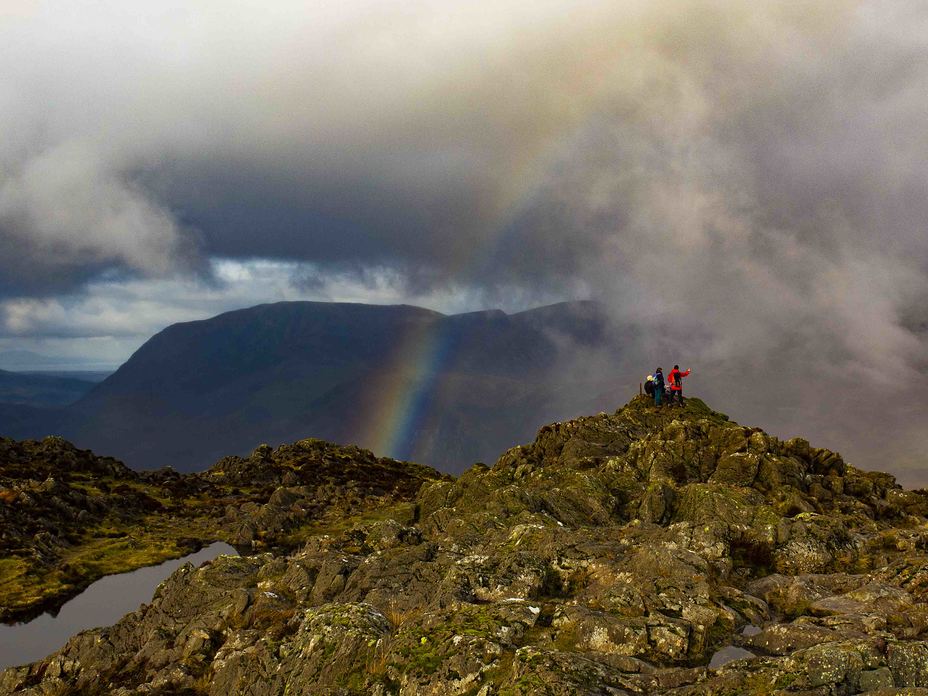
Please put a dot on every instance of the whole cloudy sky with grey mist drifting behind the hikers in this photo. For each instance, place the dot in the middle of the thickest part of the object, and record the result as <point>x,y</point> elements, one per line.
<point>745,183</point>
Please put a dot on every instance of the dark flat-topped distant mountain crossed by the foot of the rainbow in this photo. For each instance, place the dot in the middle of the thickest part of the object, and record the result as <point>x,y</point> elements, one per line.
<point>404,381</point>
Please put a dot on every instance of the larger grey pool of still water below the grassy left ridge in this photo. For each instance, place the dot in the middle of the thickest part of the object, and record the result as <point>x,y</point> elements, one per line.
<point>102,604</point>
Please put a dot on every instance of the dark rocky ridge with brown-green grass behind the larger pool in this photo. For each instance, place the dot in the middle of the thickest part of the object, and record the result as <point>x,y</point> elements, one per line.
<point>68,517</point>
